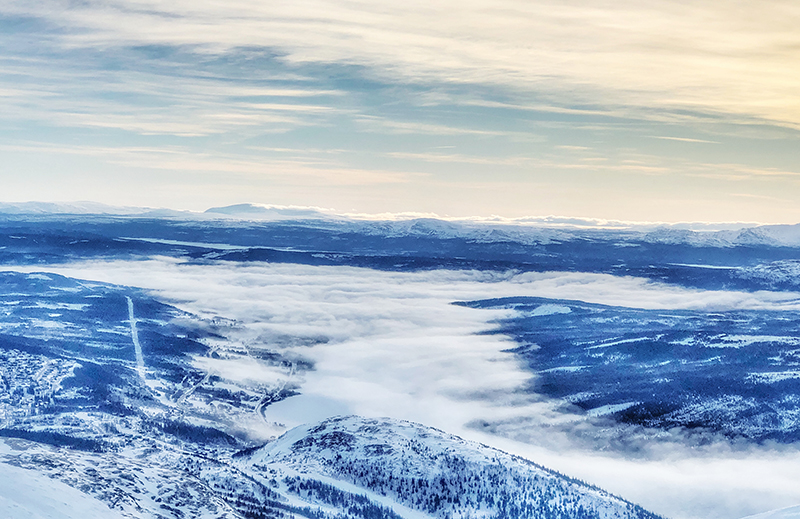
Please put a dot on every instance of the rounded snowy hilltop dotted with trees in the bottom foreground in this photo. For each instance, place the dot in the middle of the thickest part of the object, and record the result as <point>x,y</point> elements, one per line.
<point>436,473</point>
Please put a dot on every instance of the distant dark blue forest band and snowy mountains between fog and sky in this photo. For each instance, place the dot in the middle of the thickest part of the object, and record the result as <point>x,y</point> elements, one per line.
<point>751,259</point>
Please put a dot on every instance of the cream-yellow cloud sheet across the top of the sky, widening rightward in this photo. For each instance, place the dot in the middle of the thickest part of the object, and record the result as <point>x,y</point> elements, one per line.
<point>641,56</point>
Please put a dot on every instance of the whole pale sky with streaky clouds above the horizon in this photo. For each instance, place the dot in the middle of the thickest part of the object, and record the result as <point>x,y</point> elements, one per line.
<point>632,110</point>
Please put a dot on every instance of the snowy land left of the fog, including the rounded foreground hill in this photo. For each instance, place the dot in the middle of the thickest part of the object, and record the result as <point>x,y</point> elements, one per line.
<point>127,403</point>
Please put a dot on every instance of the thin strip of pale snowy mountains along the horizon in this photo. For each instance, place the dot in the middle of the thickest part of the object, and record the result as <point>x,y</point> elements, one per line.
<point>527,230</point>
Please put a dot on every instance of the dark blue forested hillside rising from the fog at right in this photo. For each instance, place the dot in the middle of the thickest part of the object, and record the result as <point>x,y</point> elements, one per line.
<point>735,372</point>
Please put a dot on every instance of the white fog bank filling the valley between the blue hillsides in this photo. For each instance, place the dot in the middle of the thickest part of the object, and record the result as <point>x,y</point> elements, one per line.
<point>391,344</point>
